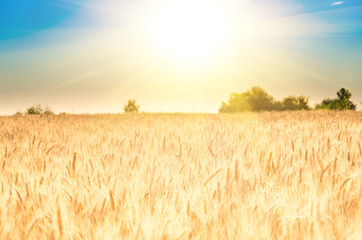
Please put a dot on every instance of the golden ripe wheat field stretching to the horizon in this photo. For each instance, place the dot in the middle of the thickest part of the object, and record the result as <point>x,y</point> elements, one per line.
<point>271,175</point>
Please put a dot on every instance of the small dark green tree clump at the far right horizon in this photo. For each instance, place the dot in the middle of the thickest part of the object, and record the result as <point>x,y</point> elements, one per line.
<point>342,102</point>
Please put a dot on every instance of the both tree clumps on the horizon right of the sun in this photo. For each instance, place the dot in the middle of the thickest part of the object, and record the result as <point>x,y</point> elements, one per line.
<point>257,99</point>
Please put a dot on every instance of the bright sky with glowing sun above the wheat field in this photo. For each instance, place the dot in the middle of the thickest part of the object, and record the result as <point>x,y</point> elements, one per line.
<point>171,55</point>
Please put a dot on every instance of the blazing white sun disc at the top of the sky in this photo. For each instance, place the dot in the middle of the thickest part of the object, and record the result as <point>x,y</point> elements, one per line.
<point>190,31</point>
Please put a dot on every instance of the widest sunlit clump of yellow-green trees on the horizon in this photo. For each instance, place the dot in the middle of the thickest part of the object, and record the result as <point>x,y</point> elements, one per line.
<point>257,99</point>
